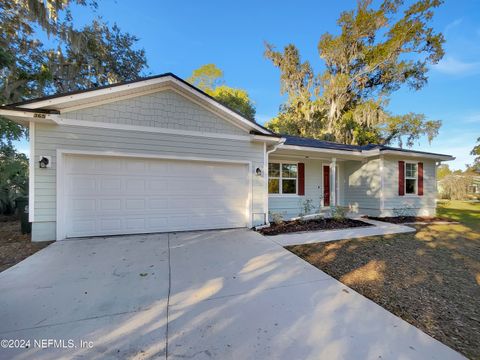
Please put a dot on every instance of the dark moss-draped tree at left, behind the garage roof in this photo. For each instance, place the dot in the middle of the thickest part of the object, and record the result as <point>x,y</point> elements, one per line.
<point>28,69</point>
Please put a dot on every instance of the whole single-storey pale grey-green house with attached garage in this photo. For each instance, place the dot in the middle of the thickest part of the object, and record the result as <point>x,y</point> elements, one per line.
<point>158,155</point>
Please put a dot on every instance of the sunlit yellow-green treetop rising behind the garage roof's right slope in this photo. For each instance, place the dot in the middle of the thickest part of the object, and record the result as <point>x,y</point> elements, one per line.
<point>209,78</point>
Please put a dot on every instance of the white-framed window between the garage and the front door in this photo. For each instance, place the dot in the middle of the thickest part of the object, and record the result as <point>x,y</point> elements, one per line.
<point>282,178</point>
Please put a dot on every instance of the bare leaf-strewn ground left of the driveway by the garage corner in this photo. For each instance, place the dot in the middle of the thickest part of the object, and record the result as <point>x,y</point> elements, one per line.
<point>15,246</point>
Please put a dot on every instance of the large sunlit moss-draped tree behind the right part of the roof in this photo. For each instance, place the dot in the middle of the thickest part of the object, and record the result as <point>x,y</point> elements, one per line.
<point>377,51</point>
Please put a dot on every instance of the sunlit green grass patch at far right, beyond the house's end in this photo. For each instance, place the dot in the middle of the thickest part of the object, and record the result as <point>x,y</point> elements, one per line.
<point>465,212</point>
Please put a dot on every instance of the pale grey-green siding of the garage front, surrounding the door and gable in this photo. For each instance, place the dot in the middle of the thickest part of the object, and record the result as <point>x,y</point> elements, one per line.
<point>49,138</point>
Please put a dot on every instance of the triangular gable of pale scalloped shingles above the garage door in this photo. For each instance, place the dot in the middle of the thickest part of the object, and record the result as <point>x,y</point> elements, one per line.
<point>164,109</point>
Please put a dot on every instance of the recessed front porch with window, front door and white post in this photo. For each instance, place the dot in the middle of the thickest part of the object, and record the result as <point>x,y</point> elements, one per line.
<point>310,181</point>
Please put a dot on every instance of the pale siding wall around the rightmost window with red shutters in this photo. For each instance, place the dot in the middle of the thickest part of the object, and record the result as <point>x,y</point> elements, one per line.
<point>416,205</point>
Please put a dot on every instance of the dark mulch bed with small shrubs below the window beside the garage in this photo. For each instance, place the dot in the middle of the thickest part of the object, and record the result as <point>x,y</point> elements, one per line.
<point>311,225</point>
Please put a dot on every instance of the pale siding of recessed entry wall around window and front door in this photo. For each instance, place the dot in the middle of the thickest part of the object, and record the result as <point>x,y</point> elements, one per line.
<point>290,206</point>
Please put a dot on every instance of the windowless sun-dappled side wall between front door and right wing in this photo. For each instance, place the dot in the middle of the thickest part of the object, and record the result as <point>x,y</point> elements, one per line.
<point>362,186</point>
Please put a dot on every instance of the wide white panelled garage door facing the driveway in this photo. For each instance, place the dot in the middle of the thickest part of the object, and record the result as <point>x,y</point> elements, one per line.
<point>112,195</point>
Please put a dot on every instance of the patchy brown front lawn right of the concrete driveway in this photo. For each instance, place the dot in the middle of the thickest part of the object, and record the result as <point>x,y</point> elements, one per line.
<point>430,278</point>
